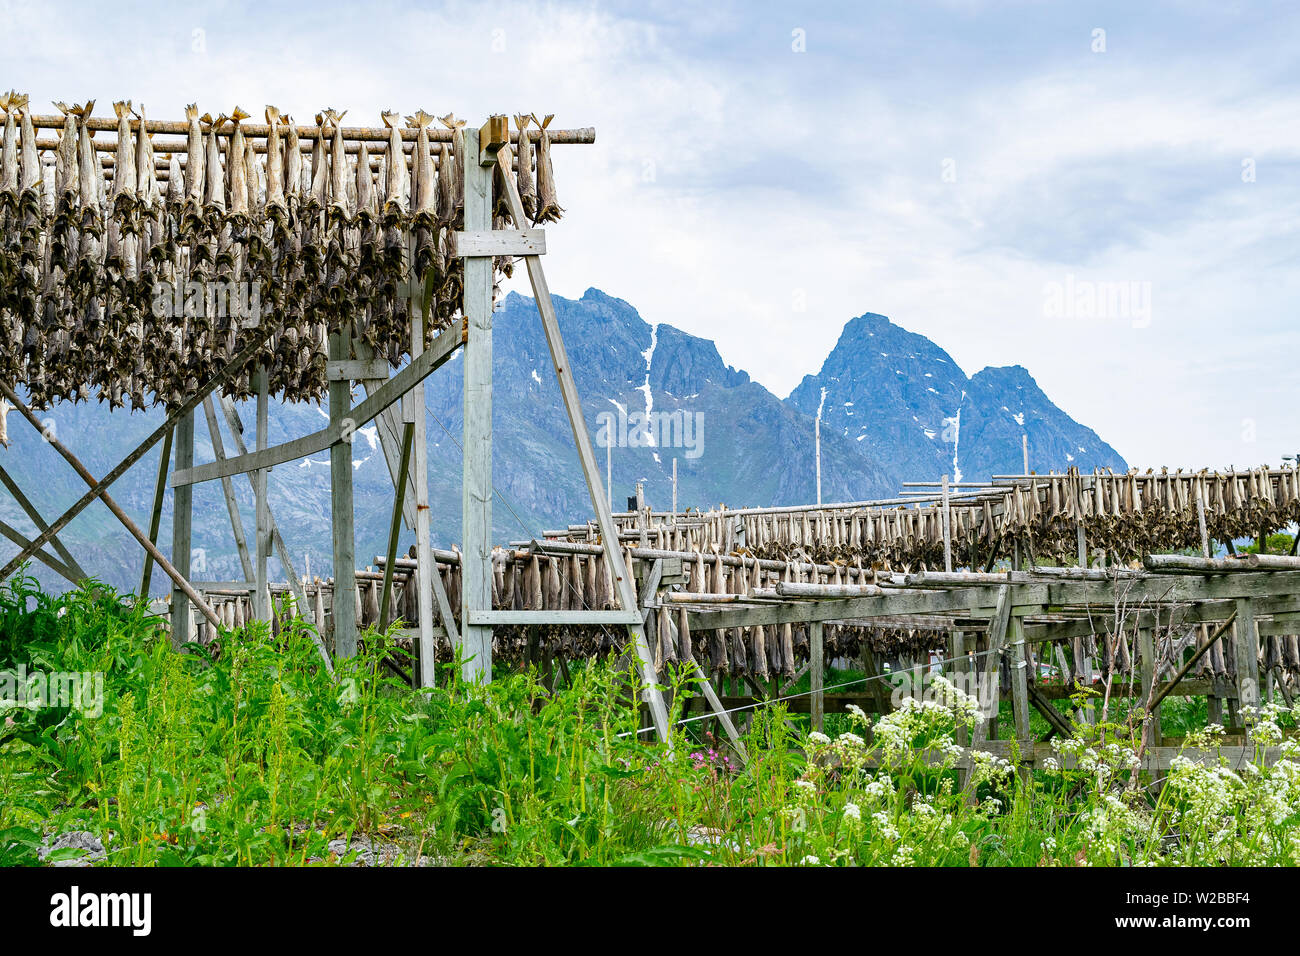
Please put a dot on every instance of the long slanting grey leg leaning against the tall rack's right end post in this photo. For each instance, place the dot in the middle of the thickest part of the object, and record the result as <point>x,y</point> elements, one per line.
<point>587,457</point>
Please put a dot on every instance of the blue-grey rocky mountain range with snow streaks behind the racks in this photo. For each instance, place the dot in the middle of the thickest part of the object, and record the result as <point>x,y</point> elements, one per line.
<point>894,408</point>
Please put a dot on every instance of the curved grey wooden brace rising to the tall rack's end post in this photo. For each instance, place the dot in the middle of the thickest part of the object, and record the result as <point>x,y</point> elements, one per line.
<point>445,345</point>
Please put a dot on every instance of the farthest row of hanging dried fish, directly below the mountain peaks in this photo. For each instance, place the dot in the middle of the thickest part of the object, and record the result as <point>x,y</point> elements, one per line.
<point>1129,516</point>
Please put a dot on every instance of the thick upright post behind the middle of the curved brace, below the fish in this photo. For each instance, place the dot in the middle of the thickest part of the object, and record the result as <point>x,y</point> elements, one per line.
<point>341,508</point>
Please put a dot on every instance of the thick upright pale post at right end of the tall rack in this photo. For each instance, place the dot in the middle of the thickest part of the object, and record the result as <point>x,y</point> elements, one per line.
<point>476,488</point>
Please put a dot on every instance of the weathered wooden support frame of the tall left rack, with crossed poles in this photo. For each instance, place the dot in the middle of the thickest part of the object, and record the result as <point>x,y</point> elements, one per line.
<point>479,245</point>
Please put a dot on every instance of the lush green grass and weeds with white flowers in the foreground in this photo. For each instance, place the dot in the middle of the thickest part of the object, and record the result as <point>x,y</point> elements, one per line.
<point>254,756</point>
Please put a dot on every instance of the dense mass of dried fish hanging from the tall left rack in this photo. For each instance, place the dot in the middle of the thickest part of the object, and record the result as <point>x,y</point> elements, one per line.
<point>142,276</point>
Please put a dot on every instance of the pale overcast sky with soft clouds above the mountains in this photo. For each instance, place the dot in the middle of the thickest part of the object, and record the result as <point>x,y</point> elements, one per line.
<point>765,172</point>
